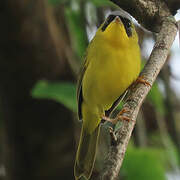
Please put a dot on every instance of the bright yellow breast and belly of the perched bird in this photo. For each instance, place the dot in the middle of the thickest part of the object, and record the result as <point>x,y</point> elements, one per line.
<point>108,75</point>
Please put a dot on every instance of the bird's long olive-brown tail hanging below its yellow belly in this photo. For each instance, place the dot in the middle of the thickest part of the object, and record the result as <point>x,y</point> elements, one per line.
<point>86,153</point>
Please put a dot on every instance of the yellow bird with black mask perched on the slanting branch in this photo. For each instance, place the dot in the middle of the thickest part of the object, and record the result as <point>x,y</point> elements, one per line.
<point>112,64</point>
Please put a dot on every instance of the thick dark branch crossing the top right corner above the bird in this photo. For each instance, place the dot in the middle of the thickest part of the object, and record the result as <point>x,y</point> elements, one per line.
<point>149,13</point>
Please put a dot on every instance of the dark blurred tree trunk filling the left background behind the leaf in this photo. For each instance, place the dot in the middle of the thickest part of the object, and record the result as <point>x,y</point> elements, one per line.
<point>38,133</point>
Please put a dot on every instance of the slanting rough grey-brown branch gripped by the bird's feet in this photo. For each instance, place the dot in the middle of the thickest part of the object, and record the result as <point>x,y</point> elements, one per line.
<point>168,30</point>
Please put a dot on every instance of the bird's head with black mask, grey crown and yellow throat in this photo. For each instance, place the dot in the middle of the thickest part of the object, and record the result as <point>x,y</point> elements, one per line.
<point>118,29</point>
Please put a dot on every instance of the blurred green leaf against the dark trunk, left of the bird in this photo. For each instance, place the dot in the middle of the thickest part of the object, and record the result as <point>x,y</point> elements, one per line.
<point>62,92</point>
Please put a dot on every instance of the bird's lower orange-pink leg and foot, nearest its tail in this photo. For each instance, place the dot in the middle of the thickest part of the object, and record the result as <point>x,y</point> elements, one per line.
<point>120,116</point>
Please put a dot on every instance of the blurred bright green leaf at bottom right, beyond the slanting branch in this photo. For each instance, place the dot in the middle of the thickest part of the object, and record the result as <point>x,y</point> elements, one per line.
<point>143,164</point>
